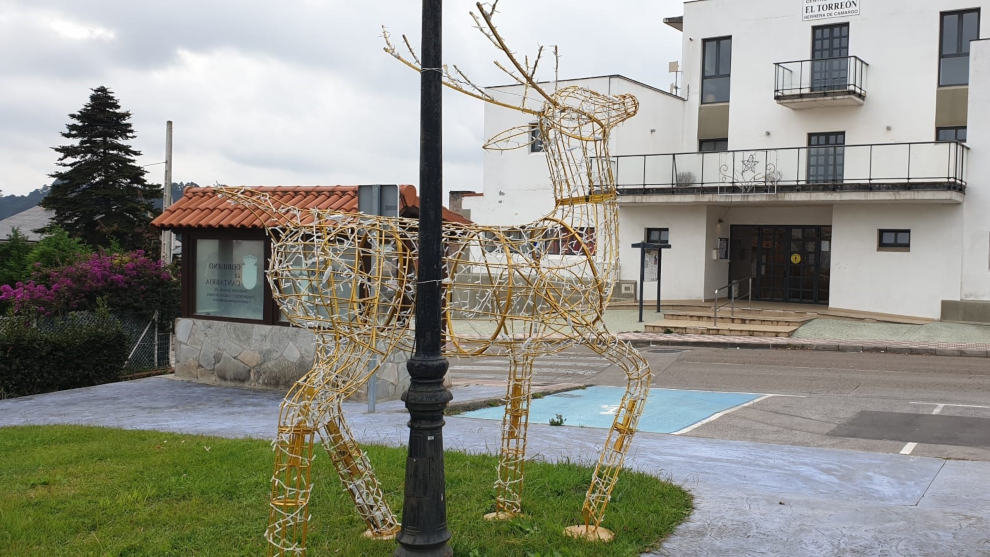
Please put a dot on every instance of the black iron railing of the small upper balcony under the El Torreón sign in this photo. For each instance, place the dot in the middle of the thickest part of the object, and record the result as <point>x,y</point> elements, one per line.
<point>819,78</point>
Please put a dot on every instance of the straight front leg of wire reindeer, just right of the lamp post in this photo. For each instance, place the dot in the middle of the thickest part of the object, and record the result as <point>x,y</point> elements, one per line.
<point>515,422</point>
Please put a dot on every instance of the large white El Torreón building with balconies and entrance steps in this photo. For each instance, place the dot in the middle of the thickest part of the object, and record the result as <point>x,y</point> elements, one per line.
<point>839,150</point>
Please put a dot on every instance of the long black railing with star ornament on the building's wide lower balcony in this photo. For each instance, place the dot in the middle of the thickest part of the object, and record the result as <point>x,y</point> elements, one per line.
<point>937,165</point>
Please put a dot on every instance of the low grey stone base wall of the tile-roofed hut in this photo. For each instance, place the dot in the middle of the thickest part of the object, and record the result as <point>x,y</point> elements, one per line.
<point>255,355</point>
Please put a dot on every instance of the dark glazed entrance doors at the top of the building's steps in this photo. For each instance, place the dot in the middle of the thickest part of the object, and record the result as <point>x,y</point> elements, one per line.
<point>787,263</point>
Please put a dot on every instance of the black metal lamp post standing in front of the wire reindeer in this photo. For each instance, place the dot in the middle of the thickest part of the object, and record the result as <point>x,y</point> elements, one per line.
<point>424,510</point>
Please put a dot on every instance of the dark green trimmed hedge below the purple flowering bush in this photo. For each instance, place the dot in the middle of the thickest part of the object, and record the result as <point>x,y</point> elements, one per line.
<point>52,354</point>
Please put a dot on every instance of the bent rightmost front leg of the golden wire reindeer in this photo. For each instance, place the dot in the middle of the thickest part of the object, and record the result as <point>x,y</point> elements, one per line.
<point>610,461</point>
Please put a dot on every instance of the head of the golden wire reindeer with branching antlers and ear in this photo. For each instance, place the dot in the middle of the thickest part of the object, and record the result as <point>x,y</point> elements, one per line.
<point>576,112</point>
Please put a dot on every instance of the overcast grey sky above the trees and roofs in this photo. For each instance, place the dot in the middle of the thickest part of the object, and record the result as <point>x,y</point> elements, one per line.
<point>289,92</point>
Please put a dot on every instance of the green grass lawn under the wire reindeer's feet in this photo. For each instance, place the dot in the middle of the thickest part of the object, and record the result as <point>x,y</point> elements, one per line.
<point>67,490</point>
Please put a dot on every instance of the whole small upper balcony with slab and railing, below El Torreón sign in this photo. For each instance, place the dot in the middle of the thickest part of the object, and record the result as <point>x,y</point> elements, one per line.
<point>802,84</point>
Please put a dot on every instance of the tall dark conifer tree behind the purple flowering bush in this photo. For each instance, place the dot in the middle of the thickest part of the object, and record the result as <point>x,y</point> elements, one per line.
<point>100,196</point>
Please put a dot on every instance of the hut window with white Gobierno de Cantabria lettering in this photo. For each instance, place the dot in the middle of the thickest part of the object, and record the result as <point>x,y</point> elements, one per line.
<point>230,278</point>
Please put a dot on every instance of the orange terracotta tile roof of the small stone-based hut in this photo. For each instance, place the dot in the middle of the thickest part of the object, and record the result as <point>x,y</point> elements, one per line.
<point>202,208</point>
